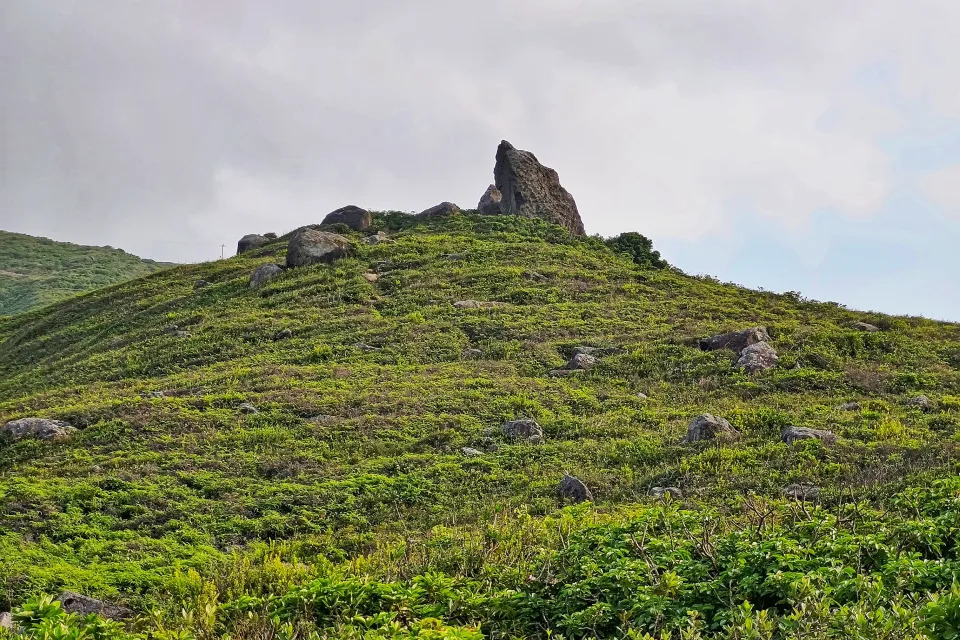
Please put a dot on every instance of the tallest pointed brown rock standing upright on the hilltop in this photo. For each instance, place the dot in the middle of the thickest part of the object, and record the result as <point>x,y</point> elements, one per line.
<point>529,189</point>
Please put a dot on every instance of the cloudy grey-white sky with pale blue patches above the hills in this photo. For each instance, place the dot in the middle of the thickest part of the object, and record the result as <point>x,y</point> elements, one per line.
<point>809,146</point>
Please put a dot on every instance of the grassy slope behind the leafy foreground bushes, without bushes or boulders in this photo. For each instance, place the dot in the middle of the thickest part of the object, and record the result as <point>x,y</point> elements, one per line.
<point>153,486</point>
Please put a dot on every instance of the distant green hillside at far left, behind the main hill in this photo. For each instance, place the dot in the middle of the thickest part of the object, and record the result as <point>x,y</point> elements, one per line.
<point>37,271</point>
